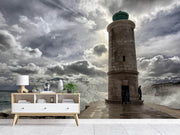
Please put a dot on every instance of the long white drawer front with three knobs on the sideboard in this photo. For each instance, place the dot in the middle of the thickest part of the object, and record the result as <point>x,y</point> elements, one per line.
<point>45,108</point>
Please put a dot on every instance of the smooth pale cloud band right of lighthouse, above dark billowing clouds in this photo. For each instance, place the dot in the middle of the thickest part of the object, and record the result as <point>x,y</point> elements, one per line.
<point>163,45</point>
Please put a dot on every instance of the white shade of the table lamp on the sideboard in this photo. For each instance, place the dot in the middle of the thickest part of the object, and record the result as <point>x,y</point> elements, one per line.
<point>22,80</point>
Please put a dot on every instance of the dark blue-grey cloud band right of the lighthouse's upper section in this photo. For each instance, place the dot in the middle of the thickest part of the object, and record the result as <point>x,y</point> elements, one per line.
<point>165,23</point>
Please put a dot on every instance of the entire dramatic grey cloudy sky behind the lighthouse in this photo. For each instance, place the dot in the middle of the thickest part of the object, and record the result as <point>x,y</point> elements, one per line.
<point>53,39</point>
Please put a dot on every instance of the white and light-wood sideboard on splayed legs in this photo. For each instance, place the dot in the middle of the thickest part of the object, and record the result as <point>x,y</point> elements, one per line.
<point>54,105</point>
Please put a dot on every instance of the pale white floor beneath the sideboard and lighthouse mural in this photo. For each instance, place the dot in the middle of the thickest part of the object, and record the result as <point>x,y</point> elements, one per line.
<point>91,127</point>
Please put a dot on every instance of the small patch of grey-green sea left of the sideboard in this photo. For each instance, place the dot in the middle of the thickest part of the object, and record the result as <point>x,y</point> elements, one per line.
<point>5,101</point>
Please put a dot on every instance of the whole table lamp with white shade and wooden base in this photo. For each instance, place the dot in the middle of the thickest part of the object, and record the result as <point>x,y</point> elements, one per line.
<point>22,80</point>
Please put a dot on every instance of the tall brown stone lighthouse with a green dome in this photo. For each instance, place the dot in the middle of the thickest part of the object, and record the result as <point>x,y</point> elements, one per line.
<point>122,70</point>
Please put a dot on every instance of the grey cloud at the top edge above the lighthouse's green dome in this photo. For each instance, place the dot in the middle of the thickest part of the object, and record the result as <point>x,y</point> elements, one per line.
<point>138,8</point>
